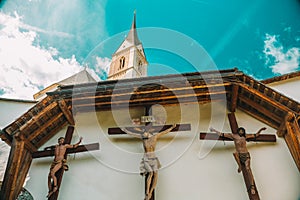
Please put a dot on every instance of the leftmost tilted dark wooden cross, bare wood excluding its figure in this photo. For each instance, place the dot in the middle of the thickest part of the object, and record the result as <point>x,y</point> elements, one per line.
<point>59,173</point>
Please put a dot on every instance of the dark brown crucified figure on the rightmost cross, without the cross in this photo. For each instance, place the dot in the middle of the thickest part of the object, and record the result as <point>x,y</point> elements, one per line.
<point>242,156</point>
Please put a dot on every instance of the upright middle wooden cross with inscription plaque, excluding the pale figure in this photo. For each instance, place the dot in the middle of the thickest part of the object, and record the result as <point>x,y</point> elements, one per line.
<point>148,120</point>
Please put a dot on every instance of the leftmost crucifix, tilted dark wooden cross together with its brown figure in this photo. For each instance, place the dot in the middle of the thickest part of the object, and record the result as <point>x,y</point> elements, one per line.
<point>69,149</point>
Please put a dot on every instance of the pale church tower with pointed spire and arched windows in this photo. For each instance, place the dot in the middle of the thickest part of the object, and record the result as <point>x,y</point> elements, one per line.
<point>129,61</point>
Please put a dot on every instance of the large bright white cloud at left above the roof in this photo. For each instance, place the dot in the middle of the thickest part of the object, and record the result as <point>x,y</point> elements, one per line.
<point>24,67</point>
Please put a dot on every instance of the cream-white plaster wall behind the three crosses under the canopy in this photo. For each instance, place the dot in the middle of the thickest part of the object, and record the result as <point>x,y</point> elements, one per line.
<point>191,169</point>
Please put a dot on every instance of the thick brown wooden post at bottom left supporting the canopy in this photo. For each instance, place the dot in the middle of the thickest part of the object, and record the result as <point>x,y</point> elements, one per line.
<point>18,165</point>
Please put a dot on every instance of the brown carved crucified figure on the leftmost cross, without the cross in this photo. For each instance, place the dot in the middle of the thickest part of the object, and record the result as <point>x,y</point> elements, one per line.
<point>58,162</point>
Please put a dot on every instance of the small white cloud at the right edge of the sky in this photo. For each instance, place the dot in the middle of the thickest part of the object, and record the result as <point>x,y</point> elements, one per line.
<point>282,61</point>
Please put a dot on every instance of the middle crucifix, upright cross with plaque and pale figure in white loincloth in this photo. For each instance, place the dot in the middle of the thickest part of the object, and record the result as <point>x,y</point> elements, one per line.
<point>149,134</point>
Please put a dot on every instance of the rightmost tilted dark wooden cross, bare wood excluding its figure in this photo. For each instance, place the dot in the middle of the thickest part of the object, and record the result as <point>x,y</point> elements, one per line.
<point>247,173</point>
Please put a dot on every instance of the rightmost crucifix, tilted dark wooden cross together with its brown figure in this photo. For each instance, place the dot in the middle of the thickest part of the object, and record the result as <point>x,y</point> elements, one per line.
<point>241,155</point>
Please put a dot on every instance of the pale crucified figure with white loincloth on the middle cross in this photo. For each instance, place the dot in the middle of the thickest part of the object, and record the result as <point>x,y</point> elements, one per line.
<point>150,163</point>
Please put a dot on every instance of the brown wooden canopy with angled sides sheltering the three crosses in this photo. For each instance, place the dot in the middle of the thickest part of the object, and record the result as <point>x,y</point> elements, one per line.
<point>40,123</point>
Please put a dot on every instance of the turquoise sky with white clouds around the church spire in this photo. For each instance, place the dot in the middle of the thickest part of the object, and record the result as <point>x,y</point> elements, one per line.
<point>44,41</point>
